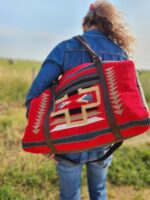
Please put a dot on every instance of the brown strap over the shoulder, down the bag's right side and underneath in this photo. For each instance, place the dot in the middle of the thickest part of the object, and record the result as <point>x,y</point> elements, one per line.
<point>107,104</point>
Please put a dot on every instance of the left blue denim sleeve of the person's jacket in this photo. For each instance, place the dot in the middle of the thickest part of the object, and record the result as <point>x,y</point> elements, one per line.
<point>50,70</point>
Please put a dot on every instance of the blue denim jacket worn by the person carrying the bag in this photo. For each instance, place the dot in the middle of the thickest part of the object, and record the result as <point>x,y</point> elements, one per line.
<point>69,54</point>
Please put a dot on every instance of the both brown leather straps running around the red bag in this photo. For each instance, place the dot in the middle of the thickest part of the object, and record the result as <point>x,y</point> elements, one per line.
<point>107,104</point>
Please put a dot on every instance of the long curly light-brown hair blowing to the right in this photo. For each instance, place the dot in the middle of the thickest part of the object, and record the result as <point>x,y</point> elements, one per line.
<point>109,20</point>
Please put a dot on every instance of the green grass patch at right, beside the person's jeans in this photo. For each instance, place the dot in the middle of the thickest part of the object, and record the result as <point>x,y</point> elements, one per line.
<point>130,167</point>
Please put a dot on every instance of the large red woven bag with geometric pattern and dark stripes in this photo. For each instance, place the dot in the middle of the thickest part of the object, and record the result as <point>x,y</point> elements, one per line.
<point>93,104</point>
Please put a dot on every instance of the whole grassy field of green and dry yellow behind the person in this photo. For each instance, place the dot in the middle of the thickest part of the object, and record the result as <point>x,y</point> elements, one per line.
<point>24,176</point>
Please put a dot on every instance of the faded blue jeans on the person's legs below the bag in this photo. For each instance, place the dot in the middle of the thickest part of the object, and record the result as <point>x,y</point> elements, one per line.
<point>70,175</point>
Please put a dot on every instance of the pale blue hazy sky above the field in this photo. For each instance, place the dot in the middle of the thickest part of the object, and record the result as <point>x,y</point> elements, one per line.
<point>30,29</point>
